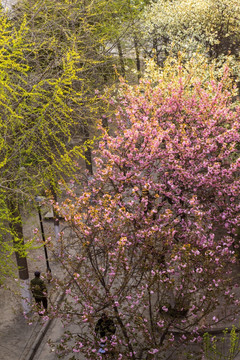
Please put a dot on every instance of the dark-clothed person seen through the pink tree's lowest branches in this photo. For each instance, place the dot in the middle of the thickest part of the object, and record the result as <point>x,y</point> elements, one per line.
<point>106,328</point>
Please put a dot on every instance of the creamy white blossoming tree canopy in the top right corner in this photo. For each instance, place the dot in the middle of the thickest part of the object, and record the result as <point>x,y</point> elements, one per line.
<point>208,26</point>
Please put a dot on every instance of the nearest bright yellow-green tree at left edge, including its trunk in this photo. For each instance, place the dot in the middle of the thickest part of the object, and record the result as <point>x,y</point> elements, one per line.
<point>36,128</point>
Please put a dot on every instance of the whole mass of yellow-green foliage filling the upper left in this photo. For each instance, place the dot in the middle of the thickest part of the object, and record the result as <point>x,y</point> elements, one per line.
<point>54,56</point>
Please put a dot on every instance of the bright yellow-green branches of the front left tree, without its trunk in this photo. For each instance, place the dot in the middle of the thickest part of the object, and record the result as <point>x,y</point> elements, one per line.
<point>36,113</point>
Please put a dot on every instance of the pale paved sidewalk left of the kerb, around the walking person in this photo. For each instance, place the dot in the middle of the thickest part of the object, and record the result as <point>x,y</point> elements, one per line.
<point>16,335</point>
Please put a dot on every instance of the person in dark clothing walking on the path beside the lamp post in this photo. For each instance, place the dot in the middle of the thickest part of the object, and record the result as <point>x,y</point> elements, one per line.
<point>39,291</point>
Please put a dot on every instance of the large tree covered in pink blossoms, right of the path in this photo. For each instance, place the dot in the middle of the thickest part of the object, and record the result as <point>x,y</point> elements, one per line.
<point>149,238</point>
